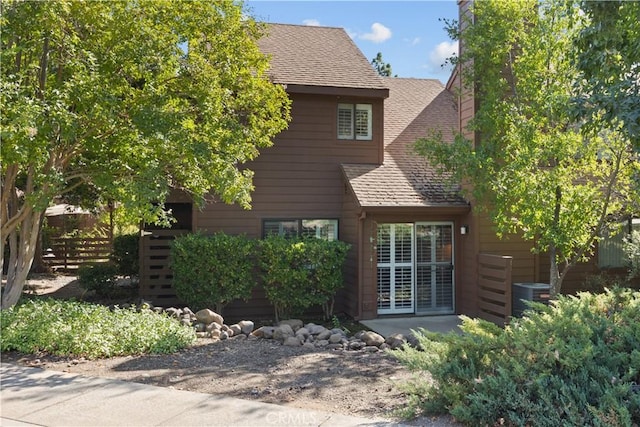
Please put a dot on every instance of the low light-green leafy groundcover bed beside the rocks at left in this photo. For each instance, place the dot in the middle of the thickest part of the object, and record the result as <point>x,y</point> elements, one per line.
<point>70,328</point>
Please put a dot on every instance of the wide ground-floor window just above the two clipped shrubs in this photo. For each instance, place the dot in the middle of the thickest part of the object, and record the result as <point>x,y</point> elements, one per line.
<point>326,229</point>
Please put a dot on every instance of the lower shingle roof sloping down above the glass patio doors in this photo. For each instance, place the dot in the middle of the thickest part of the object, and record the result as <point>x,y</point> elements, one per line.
<point>406,179</point>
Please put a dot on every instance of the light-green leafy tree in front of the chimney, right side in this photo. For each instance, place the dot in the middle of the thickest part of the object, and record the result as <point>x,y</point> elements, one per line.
<point>536,167</point>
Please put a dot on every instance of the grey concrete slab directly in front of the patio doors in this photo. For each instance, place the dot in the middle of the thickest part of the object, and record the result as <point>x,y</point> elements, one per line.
<point>386,326</point>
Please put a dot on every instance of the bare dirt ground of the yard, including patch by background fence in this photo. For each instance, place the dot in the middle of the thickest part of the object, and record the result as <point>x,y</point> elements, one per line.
<point>346,382</point>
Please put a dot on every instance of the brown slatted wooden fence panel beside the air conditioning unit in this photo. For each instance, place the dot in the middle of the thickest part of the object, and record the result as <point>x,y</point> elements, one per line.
<point>494,288</point>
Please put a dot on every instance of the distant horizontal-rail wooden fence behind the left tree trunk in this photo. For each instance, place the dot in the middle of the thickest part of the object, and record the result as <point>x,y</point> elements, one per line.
<point>70,253</point>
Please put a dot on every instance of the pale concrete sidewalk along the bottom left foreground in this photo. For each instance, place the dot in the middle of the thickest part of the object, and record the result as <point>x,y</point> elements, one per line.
<point>38,397</point>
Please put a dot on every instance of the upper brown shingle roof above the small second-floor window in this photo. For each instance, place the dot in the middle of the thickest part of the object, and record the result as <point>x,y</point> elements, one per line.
<point>317,56</point>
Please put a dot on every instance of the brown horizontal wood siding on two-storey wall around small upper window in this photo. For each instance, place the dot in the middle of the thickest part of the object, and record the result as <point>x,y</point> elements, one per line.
<point>300,176</point>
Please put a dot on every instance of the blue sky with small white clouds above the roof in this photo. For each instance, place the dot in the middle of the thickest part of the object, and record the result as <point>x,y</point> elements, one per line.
<point>407,33</point>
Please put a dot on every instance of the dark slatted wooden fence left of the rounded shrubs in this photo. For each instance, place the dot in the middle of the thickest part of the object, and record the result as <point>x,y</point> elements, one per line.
<point>155,274</point>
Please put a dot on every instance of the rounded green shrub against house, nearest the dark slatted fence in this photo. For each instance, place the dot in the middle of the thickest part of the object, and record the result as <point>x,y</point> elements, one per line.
<point>212,271</point>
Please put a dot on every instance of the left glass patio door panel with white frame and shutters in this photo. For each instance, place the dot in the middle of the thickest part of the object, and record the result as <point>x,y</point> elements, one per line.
<point>395,268</point>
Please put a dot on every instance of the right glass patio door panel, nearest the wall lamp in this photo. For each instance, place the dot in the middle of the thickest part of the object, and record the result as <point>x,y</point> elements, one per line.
<point>434,268</point>
